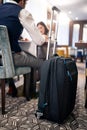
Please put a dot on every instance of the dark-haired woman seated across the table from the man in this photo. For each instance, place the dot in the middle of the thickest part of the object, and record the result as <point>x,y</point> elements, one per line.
<point>40,50</point>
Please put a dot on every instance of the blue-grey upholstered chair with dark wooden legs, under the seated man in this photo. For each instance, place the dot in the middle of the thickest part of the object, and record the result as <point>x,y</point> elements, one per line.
<point>7,69</point>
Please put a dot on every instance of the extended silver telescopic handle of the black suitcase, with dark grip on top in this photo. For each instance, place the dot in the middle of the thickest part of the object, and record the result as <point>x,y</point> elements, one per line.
<point>50,33</point>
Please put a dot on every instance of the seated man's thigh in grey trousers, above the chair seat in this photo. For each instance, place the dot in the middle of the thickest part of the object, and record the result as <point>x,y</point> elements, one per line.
<point>26,59</point>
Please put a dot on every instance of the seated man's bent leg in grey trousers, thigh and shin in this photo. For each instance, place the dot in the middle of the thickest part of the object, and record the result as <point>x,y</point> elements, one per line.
<point>26,59</point>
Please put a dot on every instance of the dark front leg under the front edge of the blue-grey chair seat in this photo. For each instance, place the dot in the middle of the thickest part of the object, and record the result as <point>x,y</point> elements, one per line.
<point>26,90</point>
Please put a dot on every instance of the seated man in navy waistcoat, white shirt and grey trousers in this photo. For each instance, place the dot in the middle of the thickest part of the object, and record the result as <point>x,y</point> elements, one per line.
<point>15,18</point>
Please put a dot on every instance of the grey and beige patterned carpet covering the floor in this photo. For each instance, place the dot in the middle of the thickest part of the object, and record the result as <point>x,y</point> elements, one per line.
<point>21,116</point>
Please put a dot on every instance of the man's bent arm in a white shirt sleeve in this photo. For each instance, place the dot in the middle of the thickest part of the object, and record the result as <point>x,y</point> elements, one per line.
<point>27,22</point>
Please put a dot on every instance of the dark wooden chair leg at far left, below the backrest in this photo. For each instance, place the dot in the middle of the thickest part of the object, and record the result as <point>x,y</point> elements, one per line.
<point>3,95</point>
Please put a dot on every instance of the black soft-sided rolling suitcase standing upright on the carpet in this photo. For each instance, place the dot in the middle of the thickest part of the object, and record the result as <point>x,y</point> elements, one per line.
<point>58,87</point>
